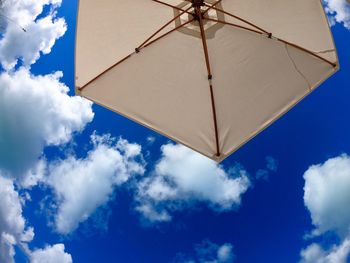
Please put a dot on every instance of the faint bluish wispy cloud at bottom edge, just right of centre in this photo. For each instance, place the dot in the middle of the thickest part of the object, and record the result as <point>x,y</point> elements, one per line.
<point>208,252</point>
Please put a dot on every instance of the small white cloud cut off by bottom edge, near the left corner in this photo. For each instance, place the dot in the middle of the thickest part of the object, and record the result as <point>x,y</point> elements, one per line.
<point>51,254</point>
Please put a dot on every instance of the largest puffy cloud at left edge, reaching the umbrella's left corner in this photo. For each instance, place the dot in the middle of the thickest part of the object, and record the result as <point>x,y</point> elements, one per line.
<point>35,112</point>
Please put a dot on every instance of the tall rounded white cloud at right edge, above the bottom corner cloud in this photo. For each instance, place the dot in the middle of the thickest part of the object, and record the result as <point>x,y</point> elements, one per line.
<point>327,195</point>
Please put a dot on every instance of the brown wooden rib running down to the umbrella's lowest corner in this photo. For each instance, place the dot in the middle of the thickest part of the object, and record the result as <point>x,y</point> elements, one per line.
<point>205,48</point>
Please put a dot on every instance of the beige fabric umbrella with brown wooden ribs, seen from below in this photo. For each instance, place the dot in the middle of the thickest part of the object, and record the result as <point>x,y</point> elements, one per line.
<point>209,74</point>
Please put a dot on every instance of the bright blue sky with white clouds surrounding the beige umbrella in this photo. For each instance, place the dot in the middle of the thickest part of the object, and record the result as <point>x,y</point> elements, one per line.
<point>80,183</point>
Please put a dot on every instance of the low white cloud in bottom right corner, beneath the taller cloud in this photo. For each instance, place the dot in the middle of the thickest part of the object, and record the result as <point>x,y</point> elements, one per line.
<point>337,254</point>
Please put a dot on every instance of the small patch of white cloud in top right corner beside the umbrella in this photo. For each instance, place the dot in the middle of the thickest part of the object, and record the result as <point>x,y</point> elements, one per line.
<point>338,11</point>
